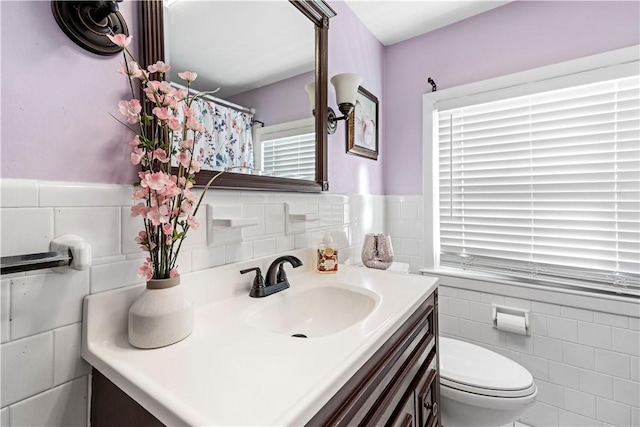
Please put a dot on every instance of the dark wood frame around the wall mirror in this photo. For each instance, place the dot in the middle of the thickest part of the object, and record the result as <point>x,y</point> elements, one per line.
<point>319,12</point>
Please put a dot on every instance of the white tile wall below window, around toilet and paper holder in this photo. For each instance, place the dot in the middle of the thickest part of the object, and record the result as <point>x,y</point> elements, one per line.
<point>585,362</point>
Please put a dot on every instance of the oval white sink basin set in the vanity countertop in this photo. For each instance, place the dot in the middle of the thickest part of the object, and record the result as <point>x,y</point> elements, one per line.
<point>314,312</point>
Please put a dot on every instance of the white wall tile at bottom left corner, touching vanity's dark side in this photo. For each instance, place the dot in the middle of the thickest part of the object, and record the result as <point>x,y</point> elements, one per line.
<point>65,405</point>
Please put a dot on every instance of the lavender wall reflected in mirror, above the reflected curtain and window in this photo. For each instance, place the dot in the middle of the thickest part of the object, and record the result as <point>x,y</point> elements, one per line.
<point>280,102</point>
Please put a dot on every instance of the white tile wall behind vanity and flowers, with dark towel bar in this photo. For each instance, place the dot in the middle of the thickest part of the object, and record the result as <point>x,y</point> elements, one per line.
<point>43,379</point>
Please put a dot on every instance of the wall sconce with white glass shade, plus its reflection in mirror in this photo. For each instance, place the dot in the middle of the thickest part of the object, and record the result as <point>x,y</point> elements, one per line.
<point>346,86</point>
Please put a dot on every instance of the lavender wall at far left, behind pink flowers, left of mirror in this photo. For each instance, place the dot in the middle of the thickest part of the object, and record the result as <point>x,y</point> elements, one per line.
<point>56,100</point>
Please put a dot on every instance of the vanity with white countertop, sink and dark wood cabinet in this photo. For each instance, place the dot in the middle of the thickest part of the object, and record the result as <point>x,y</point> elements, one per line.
<point>354,348</point>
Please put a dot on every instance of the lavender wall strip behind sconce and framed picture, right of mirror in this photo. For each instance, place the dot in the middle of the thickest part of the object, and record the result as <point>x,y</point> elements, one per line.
<point>353,49</point>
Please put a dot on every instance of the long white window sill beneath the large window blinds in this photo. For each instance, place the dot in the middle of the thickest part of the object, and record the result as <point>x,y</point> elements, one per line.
<point>590,300</point>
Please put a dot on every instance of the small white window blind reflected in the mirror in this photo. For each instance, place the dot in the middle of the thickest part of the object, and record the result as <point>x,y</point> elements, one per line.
<point>290,157</point>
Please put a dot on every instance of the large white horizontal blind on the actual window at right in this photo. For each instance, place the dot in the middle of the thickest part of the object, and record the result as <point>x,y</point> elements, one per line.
<point>545,187</point>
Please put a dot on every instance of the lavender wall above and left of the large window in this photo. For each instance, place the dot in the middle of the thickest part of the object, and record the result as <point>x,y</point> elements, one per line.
<point>515,37</point>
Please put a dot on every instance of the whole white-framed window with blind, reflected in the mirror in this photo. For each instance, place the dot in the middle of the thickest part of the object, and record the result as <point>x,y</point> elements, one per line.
<point>288,150</point>
